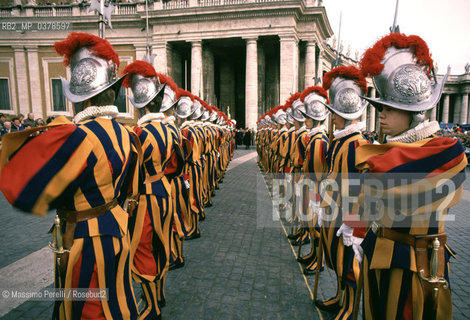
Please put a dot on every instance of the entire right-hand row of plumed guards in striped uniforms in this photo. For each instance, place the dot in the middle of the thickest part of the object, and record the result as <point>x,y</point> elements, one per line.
<point>389,253</point>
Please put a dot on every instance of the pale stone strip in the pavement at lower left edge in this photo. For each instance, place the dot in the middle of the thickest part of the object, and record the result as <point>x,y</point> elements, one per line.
<point>29,274</point>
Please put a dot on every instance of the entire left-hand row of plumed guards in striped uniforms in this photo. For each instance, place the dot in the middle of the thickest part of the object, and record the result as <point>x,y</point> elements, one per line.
<point>126,198</point>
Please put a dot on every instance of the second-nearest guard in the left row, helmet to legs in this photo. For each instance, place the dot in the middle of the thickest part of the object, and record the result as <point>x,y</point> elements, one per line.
<point>149,222</point>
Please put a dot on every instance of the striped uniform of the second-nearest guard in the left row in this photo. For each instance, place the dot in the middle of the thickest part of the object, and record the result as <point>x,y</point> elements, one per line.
<point>153,219</point>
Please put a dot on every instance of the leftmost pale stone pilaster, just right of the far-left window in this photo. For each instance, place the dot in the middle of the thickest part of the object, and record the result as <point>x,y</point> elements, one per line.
<point>21,81</point>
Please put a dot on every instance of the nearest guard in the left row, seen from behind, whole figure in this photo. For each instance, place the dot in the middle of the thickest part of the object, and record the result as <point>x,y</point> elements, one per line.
<point>84,170</point>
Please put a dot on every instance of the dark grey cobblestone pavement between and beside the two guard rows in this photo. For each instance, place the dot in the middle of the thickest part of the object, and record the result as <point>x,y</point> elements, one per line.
<point>241,268</point>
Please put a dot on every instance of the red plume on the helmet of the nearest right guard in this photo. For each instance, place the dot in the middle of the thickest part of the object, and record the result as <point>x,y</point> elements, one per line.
<point>370,62</point>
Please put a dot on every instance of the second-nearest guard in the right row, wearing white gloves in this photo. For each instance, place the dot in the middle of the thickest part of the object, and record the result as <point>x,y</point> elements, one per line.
<point>346,85</point>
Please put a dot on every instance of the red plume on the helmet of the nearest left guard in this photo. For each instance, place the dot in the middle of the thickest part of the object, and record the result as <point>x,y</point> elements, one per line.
<point>76,40</point>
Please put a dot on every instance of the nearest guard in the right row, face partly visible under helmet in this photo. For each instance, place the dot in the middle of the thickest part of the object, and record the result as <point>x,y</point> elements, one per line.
<point>406,258</point>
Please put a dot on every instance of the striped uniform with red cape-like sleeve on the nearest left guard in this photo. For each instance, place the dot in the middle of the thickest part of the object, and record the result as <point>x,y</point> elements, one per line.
<point>79,167</point>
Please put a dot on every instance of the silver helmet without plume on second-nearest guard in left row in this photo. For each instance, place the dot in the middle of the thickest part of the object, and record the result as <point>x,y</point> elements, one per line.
<point>144,89</point>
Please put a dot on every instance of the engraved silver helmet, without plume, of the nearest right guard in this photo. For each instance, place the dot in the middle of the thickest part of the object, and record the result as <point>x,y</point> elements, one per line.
<point>404,84</point>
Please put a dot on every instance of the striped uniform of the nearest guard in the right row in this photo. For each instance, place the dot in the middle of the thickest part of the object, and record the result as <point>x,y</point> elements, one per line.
<point>392,288</point>
